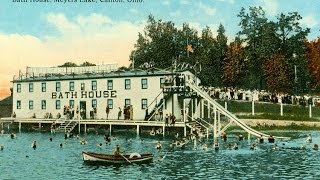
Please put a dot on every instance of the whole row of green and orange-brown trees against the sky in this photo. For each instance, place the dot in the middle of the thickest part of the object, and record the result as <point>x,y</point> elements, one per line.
<point>249,62</point>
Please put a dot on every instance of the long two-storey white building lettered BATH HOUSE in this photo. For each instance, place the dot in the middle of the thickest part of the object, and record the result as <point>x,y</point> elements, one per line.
<point>96,92</point>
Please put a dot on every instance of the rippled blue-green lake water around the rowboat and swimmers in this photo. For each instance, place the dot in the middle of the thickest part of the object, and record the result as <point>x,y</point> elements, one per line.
<point>48,161</point>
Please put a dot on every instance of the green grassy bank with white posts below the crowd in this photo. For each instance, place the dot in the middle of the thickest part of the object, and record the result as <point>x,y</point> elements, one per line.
<point>243,109</point>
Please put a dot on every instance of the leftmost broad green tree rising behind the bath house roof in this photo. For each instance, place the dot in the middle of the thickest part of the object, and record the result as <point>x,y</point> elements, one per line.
<point>156,45</point>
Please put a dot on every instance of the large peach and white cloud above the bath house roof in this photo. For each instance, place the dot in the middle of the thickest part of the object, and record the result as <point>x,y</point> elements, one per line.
<point>95,38</point>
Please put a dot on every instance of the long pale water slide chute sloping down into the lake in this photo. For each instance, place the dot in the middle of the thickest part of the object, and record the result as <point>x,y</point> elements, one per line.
<point>226,112</point>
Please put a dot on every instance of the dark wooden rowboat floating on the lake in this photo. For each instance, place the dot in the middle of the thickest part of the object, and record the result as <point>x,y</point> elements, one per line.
<point>98,158</point>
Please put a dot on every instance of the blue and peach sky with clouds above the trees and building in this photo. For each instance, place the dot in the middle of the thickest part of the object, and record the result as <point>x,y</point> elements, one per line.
<point>47,34</point>
